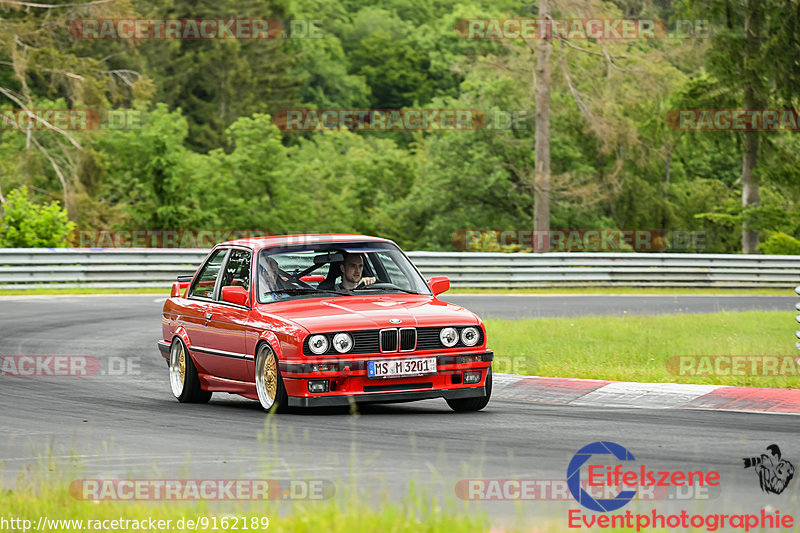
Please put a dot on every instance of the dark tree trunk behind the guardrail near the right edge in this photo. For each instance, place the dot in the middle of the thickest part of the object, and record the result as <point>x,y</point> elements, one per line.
<point>750,181</point>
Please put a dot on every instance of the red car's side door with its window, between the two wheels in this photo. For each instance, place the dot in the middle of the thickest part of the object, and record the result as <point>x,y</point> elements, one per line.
<point>226,322</point>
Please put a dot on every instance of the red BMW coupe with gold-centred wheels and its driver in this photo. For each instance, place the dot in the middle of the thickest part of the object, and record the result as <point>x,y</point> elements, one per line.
<point>321,320</point>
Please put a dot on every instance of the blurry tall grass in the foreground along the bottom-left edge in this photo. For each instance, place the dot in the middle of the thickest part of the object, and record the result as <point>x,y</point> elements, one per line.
<point>45,501</point>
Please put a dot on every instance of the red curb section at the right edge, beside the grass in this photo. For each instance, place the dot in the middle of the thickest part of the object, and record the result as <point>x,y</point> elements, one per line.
<point>749,399</point>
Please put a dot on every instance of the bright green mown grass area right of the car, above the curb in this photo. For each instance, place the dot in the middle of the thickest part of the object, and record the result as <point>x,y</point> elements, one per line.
<point>646,348</point>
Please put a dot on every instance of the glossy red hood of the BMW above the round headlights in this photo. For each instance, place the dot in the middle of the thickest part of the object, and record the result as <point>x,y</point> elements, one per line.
<point>321,315</point>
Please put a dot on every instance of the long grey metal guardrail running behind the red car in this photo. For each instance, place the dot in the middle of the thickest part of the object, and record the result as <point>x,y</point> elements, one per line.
<point>119,267</point>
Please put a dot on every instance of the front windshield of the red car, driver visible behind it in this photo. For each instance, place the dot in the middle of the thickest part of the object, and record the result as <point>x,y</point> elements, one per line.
<point>335,269</point>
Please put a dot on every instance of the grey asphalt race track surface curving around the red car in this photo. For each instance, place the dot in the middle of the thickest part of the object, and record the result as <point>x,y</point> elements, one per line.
<point>123,421</point>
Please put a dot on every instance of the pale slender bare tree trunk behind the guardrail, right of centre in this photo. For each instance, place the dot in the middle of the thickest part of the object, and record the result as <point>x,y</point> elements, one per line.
<point>541,177</point>
